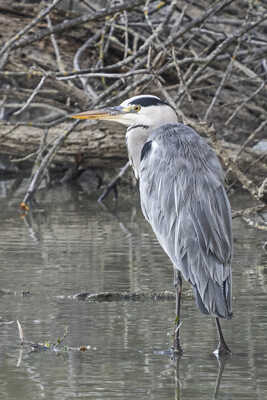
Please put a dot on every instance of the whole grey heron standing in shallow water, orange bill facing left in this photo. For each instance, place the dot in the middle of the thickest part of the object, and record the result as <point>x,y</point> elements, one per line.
<point>183,198</point>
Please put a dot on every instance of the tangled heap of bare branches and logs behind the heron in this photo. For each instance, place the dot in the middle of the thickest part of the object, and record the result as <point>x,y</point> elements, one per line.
<point>206,59</point>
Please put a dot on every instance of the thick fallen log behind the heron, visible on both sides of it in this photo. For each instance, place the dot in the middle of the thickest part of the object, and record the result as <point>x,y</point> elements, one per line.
<point>101,145</point>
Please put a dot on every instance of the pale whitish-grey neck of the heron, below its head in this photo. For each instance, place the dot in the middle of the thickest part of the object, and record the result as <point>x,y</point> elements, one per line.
<point>136,137</point>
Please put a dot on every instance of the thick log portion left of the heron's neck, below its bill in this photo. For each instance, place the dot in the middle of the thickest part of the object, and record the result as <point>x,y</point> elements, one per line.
<point>94,146</point>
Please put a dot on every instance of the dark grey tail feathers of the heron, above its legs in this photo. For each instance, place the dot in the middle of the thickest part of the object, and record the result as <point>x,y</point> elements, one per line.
<point>216,299</point>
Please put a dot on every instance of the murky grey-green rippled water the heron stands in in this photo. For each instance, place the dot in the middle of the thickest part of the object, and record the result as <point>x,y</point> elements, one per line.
<point>70,245</point>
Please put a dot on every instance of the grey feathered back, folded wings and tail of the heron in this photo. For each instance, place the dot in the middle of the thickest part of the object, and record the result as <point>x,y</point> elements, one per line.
<point>183,198</point>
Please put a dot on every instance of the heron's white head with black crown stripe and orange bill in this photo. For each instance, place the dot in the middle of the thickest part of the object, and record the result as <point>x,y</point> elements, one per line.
<point>145,110</point>
